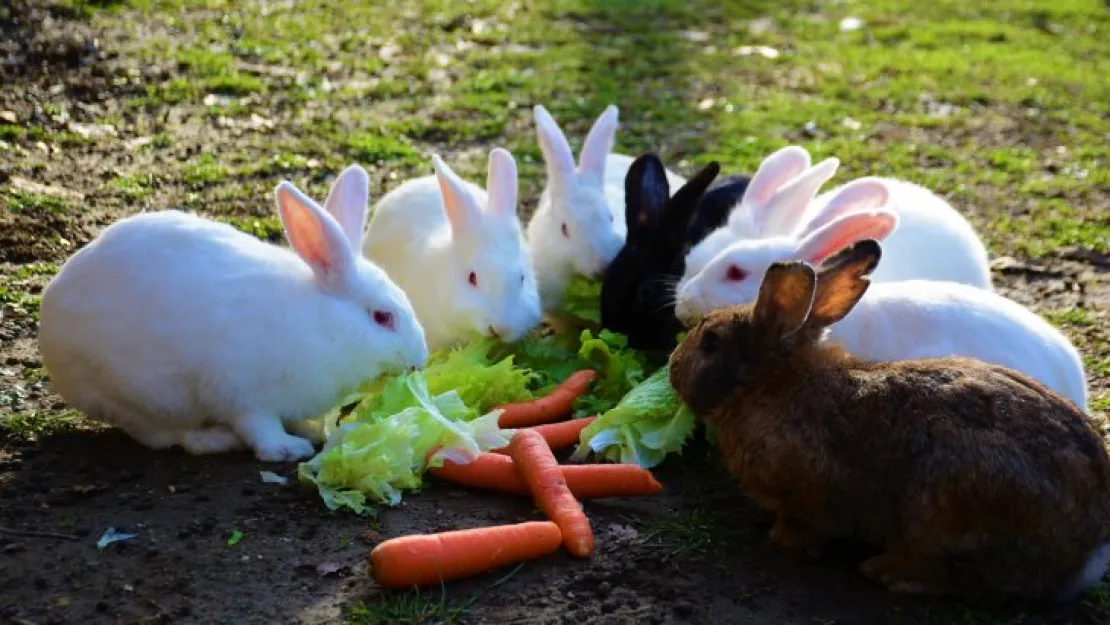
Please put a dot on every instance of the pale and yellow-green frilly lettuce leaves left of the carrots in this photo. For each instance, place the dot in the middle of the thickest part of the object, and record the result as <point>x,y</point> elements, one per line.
<point>381,448</point>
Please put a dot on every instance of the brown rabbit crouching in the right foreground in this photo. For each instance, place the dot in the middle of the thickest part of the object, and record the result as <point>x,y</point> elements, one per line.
<point>976,480</point>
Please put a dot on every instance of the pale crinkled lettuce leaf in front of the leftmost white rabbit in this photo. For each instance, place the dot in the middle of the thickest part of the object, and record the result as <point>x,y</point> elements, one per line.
<point>382,449</point>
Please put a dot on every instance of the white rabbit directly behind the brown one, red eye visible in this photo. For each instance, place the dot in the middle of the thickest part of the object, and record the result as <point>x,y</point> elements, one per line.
<point>903,320</point>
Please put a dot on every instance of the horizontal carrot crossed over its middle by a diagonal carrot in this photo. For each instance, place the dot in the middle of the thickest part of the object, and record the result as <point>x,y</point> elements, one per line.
<point>496,472</point>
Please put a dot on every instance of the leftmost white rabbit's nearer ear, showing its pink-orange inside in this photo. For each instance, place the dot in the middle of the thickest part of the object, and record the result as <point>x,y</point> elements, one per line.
<point>316,237</point>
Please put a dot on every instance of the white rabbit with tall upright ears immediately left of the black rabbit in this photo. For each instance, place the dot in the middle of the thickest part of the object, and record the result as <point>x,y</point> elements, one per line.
<point>580,225</point>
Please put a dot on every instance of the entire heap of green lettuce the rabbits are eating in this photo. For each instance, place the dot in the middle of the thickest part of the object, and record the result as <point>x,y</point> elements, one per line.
<point>380,439</point>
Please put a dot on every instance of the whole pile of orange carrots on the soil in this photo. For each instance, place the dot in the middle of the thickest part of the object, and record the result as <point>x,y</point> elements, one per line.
<point>528,467</point>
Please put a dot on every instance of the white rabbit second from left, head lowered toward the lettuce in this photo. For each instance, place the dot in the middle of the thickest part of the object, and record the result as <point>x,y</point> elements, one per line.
<point>459,254</point>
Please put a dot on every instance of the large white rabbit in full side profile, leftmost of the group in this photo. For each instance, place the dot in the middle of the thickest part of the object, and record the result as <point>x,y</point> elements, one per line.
<point>184,331</point>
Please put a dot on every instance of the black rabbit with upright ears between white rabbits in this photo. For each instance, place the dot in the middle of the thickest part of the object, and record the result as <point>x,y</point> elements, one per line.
<point>638,293</point>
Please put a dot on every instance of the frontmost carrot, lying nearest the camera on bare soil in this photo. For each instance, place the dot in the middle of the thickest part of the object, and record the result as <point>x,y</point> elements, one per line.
<point>428,559</point>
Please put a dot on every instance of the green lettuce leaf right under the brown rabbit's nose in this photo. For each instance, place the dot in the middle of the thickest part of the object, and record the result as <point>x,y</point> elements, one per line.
<point>648,425</point>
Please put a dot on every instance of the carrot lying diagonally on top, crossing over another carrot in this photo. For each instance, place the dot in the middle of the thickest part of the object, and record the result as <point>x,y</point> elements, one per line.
<point>541,471</point>
